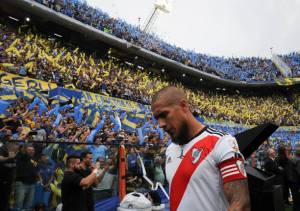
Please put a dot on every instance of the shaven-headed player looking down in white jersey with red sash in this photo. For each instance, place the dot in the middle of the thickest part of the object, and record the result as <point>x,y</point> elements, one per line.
<point>204,167</point>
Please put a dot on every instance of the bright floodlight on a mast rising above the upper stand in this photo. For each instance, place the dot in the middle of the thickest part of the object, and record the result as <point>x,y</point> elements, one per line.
<point>160,6</point>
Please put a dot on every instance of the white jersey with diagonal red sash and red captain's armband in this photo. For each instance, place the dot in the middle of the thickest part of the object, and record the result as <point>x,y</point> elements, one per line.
<point>197,171</point>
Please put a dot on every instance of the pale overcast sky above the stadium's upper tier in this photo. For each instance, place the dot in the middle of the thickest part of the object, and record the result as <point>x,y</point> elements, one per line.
<point>217,27</point>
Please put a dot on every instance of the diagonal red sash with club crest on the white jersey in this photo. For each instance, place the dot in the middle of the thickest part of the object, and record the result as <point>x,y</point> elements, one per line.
<point>186,168</point>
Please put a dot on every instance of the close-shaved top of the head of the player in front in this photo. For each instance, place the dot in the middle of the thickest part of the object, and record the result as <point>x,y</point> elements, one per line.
<point>171,95</point>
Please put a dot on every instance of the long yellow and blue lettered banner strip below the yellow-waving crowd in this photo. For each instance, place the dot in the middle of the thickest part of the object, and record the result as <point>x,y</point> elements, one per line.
<point>16,82</point>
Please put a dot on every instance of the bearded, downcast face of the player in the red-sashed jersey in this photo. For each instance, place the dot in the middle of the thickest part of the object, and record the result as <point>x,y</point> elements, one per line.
<point>172,119</point>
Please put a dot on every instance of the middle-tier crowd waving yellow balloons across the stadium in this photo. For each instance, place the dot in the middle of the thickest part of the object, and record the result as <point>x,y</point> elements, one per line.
<point>35,55</point>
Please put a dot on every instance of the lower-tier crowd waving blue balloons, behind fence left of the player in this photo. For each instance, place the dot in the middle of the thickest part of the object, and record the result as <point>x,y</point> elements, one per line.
<point>31,174</point>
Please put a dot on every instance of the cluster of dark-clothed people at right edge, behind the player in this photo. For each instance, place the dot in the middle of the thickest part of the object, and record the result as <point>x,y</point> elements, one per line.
<point>279,160</point>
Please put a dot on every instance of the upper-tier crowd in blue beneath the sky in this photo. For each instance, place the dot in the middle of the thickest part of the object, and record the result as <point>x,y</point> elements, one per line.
<point>244,69</point>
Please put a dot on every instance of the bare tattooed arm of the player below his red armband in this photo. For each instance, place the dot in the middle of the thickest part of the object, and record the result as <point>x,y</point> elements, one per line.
<point>237,194</point>
